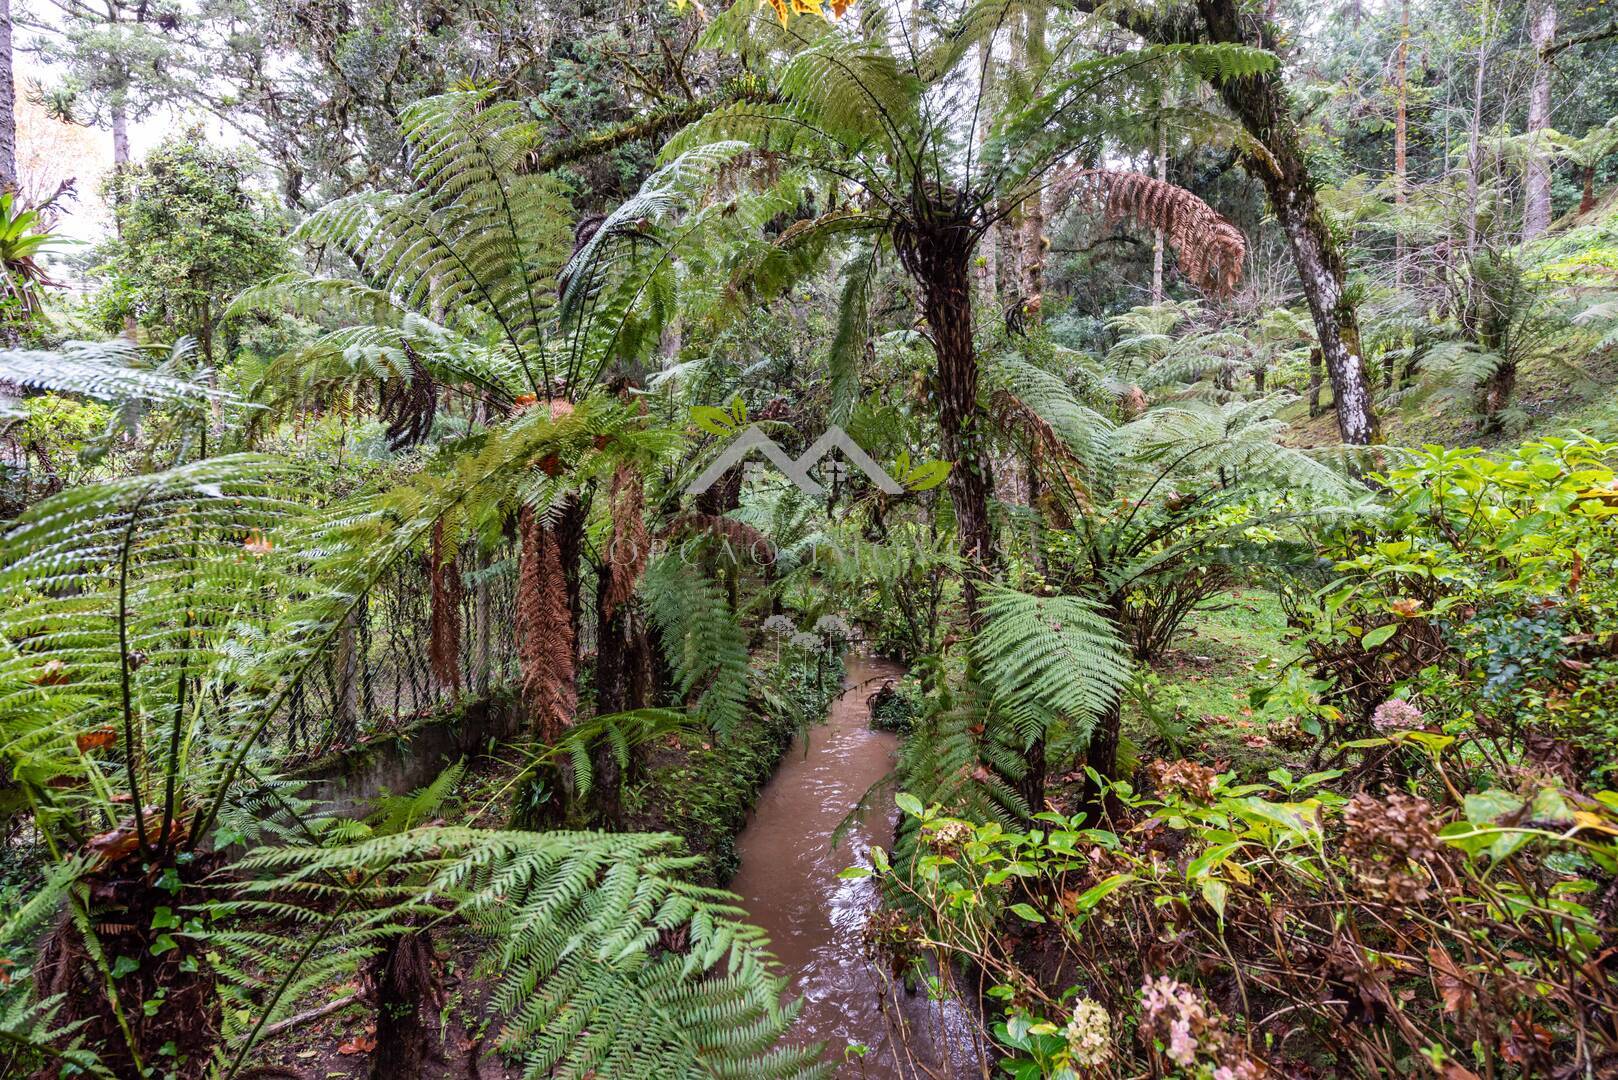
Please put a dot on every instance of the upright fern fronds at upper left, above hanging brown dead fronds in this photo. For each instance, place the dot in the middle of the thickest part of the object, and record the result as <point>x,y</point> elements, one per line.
<point>473,249</point>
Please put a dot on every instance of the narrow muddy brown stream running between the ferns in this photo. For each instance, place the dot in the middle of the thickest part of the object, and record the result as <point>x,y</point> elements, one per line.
<point>816,921</point>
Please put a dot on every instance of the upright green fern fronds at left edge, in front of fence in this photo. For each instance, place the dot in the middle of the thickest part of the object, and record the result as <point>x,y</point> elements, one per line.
<point>130,603</point>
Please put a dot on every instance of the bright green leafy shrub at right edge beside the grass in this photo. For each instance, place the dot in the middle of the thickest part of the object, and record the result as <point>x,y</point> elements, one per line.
<point>1488,593</point>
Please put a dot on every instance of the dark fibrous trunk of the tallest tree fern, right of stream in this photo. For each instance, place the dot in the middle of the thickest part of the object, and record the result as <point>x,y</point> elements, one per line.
<point>938,257</point>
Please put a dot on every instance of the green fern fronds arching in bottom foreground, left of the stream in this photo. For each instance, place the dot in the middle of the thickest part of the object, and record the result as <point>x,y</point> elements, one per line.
<point>606,963</point>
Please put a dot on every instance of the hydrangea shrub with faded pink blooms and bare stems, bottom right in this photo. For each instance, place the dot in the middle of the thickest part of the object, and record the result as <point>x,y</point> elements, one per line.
<point>1230,930</point>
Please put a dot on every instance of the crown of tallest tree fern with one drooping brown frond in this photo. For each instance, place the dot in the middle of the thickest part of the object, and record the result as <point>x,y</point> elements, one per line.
<point>891,113</point>
